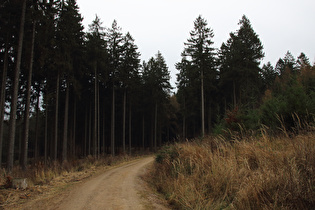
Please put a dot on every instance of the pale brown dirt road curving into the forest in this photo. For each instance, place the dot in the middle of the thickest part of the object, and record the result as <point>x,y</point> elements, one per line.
<point>118,188</point>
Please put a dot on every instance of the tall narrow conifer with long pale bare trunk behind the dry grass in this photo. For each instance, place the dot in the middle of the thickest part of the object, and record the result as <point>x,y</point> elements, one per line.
<point>200,54</point>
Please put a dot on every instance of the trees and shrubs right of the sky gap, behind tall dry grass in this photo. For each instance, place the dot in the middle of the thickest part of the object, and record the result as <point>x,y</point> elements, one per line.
<point>226,88</point>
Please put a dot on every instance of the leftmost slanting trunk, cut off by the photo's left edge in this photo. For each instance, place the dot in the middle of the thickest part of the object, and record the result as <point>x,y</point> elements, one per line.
<point>3,86</point>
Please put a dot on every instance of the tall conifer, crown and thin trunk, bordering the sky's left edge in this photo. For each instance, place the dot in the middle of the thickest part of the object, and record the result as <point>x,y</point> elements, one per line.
<point>70,55</point>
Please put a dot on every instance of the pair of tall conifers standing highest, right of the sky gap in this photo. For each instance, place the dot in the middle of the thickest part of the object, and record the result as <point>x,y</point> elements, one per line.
<point>234,70</point>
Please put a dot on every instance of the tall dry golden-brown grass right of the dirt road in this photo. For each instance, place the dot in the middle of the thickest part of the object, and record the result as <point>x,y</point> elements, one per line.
<point>256,173</point>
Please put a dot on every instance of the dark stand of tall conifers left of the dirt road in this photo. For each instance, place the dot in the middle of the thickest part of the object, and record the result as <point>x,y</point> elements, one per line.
<point>68,93</point>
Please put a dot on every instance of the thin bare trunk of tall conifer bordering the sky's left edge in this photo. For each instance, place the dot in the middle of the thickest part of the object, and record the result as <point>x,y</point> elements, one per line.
<point>65,126</point>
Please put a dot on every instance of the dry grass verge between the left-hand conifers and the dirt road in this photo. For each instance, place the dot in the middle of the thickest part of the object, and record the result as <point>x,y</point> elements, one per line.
<point>44,179</point>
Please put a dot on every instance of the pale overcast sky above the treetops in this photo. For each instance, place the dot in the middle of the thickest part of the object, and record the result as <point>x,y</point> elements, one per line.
<point>164,25</point>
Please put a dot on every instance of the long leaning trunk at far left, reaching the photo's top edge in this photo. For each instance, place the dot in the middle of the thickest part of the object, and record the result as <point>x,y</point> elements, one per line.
<point>12,128</point>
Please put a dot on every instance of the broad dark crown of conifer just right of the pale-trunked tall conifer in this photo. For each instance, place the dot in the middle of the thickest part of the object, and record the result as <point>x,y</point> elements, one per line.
<point>239,60</point>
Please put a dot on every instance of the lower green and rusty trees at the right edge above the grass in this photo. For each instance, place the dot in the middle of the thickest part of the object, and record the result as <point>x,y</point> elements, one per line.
<point>290,97</point>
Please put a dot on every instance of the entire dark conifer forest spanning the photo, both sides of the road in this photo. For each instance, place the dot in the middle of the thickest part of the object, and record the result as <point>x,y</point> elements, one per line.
<point>68,93</point>
